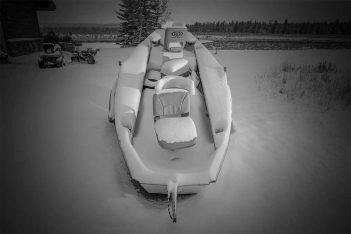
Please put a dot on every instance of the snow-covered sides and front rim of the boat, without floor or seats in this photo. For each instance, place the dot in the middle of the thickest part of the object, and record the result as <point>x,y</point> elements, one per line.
<point>125,101</point>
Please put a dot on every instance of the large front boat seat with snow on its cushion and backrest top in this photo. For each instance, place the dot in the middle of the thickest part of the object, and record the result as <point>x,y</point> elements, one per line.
<point>171,106</point>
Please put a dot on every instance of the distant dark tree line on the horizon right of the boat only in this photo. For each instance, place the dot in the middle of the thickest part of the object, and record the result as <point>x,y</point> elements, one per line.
<point>273,27</point>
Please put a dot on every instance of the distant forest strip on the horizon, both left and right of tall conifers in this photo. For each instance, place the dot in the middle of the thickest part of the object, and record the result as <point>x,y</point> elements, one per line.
<point>248,27</point>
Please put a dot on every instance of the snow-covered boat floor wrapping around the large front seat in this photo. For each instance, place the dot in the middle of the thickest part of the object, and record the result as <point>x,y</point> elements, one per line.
<point>154,155</point>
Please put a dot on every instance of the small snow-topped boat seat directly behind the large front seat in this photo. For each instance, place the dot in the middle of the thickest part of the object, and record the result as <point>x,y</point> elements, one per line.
<point>176,67</point>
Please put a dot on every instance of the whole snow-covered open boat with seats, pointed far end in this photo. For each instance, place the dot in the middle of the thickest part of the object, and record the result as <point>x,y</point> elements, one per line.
<point>172,108</point>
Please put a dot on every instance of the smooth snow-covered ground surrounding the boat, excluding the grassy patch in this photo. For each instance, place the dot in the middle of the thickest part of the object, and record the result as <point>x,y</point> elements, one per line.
<point>287,169</point>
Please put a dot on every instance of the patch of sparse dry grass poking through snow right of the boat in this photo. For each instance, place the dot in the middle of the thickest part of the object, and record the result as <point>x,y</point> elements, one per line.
<point>323,84</point>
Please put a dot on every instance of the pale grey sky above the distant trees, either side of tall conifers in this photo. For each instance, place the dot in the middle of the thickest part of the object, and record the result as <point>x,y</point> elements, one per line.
<point>190,11</point>
